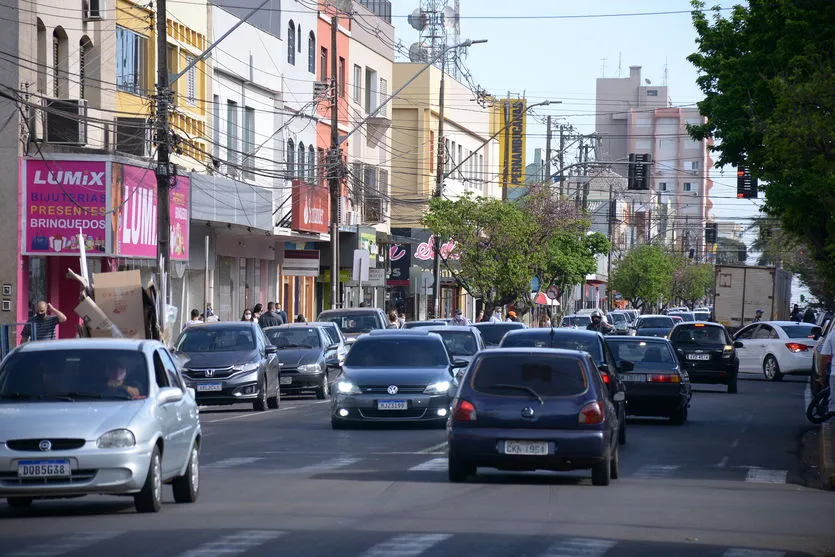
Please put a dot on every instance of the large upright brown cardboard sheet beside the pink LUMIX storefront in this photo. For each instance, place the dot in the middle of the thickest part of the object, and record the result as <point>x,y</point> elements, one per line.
<point>119,295</point>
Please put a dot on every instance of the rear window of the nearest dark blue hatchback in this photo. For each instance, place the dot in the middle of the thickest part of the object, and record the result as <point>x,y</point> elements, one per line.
<point>547,376</point>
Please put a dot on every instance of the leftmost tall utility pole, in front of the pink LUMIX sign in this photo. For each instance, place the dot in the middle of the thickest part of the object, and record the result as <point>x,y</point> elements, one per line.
<point>164,171</point>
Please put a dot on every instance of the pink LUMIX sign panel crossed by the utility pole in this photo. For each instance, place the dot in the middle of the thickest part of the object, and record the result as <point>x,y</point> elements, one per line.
<point>134,195</point>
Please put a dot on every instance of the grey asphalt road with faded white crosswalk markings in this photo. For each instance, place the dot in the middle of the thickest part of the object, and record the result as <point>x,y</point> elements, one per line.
<point>728,483</point>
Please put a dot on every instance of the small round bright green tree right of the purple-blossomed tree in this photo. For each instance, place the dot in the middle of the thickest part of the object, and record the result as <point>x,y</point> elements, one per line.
<point>643,275</point>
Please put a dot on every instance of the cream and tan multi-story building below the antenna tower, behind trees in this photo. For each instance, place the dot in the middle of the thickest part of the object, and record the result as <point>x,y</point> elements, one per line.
<point>466,132</point>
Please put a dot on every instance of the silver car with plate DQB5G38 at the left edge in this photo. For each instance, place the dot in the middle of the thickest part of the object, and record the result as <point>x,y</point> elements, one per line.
<point>103,416</point>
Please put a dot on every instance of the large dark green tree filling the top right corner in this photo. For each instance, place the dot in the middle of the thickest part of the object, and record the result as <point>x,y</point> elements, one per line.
<point>768,75</point>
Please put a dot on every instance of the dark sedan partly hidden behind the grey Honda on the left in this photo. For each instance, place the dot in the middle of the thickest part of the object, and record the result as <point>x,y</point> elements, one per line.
<point>303,355</point>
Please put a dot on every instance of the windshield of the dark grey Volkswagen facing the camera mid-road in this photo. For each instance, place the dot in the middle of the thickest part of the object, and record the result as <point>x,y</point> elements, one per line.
<point>397,353</point>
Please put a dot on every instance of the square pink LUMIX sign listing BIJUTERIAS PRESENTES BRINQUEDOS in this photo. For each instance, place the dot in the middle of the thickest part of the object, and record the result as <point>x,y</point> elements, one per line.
<point>63,199</point>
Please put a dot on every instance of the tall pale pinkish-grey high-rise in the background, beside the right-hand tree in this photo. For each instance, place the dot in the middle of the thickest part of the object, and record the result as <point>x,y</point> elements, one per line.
<point>634,116</point>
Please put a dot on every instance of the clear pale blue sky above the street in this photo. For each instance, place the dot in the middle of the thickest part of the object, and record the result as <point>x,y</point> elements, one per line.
<point>556,49</point>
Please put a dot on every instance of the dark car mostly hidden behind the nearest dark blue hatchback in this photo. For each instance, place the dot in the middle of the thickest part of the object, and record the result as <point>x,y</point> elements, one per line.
<point>592,342</point>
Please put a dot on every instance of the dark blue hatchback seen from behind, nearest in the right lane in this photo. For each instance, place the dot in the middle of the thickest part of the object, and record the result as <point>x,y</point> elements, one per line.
<point>533,408</point>
